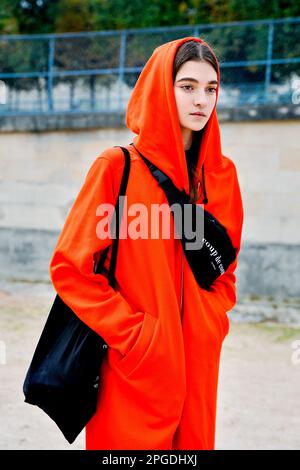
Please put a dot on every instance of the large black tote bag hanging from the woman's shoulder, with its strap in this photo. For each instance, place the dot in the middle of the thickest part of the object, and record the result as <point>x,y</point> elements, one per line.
<point>64,375</point>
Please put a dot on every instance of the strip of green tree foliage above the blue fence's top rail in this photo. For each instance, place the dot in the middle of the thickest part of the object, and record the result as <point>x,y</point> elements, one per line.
<point>50,16</point>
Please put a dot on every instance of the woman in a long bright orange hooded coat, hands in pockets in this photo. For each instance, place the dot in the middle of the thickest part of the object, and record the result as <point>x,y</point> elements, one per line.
<point>159,378</point>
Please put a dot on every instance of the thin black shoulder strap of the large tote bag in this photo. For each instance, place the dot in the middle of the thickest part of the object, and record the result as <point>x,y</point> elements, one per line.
<point>118,210</point>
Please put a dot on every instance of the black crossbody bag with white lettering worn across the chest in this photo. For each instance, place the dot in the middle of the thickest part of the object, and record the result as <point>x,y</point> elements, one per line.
<point>217,251</point>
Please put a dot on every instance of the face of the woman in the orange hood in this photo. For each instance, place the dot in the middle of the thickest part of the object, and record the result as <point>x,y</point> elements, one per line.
<point>195,89</point>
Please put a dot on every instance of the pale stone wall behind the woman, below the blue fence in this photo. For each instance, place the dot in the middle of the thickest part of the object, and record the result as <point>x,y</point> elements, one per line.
<point>41,173</point>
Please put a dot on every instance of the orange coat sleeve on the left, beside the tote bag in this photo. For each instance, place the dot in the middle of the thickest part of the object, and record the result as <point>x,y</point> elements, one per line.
<point>89,295</point>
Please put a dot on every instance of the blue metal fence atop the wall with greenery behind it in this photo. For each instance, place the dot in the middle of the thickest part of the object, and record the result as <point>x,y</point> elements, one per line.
<point>96,71</point>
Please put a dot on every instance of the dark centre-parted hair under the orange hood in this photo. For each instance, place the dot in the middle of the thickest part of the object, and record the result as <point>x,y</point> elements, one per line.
<point>193,50</point>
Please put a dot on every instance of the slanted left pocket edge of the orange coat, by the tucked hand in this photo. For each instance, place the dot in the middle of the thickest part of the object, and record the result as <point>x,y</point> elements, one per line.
<point>126,364</point>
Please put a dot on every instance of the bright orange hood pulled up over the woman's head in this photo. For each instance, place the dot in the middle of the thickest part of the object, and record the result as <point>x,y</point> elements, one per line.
<point>152,115</point>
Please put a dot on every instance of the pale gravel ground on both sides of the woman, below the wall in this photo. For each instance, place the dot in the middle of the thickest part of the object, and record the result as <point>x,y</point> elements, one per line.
<point>259,382</point>
